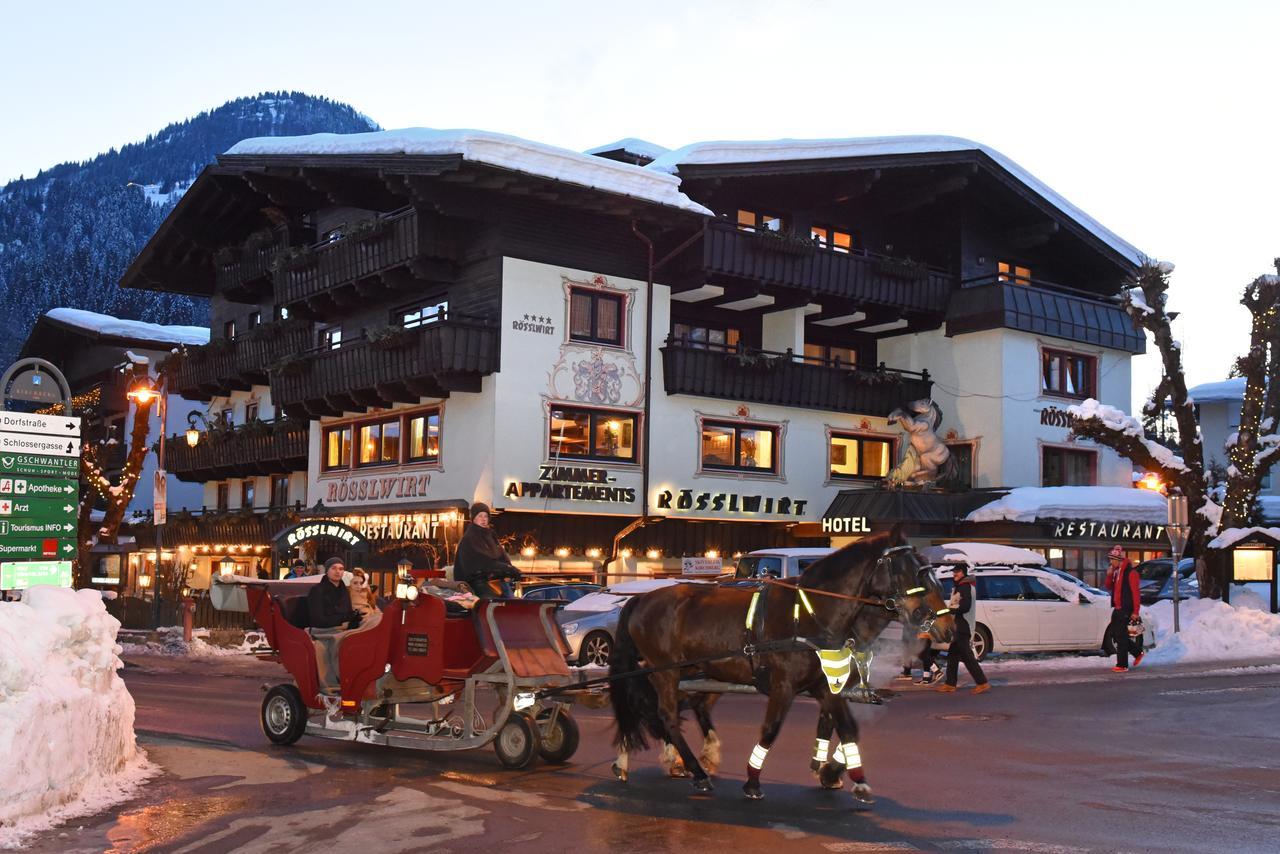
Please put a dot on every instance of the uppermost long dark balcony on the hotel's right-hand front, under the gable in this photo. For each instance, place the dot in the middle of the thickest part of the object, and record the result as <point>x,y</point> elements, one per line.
<point>794,263</point>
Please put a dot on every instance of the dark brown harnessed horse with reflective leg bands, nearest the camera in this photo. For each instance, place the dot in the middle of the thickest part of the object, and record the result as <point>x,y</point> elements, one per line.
<point>870,584</point>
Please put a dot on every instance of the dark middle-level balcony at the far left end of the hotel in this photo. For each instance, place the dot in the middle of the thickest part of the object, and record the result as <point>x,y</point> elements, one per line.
<point>237,364</point>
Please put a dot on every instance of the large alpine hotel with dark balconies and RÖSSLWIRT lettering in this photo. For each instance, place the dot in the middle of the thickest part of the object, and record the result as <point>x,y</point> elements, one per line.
<point>710,339</point>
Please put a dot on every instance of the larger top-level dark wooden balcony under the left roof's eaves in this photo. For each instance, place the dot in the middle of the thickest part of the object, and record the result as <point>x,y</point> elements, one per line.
<point>385,254</point>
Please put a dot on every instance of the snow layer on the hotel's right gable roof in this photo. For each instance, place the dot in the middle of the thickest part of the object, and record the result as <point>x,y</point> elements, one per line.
<point>783,150</point>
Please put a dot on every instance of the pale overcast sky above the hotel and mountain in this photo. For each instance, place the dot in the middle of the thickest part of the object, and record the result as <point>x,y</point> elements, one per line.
<point>1160,120</point>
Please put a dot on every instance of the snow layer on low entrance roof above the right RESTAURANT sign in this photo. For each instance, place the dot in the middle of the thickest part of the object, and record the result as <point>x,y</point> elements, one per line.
<point>1101,504</point>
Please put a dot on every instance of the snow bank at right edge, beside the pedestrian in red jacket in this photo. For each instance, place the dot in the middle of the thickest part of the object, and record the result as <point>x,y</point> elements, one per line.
<point>1217,632</point>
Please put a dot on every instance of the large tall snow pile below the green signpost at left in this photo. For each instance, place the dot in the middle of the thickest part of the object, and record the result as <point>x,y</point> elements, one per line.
<point>66,718</point>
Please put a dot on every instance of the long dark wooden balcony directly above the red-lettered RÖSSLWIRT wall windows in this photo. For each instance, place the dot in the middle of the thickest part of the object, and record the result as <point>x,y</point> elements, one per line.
<point>401,367</point>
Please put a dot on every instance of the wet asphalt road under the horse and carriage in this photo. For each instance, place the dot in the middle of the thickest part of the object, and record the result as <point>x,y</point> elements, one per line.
<point>1132,764</point>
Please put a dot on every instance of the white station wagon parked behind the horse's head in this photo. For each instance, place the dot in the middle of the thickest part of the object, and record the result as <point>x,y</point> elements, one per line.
<point>1022,605</point>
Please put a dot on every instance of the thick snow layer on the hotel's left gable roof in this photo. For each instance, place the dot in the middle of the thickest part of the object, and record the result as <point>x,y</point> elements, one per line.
<point>491,149</point>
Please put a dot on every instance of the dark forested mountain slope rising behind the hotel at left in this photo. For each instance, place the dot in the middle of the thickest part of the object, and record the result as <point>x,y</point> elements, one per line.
<point>68,234</point>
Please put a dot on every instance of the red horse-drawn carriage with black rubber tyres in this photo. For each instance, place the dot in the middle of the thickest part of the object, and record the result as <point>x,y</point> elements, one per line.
<point>424,679</point>
